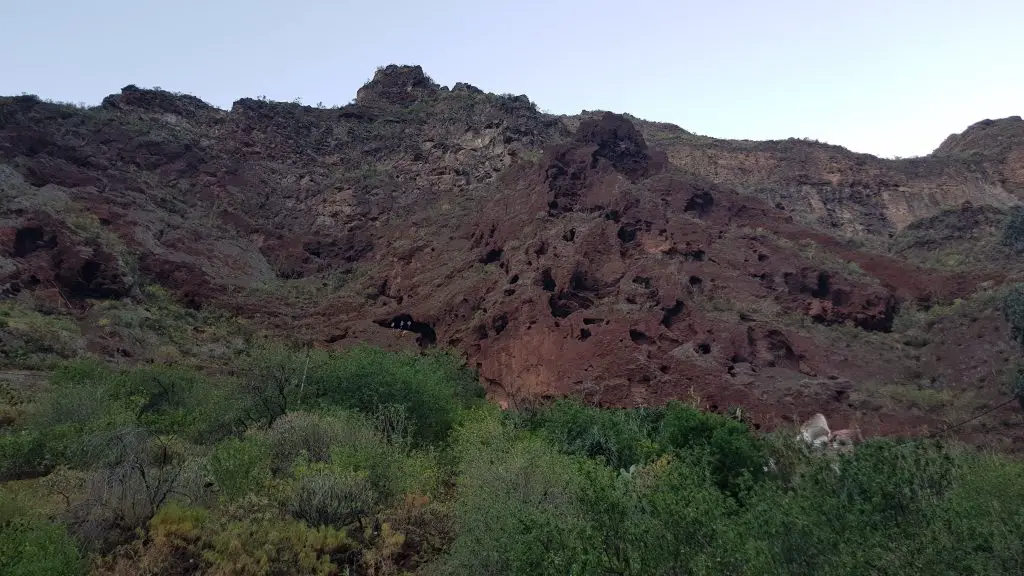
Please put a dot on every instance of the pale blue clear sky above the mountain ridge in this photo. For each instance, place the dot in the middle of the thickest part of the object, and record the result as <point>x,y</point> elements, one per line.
<point>891,78</point>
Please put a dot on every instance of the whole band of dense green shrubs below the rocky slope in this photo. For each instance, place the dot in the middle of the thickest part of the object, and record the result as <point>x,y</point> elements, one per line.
<point>368,463</point>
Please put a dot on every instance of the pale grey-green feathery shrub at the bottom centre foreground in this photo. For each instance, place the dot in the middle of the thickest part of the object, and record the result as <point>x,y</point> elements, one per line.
<point>518,510</point>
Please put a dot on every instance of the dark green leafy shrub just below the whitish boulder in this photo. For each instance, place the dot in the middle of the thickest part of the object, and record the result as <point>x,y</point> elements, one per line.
<point>847,515</point>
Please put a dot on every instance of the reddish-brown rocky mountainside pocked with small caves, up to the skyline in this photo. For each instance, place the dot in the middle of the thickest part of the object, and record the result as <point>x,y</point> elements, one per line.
<point>626,262</point>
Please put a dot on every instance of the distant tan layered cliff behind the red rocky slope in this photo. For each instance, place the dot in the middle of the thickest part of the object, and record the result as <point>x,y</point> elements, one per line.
<point>857,195</point>
